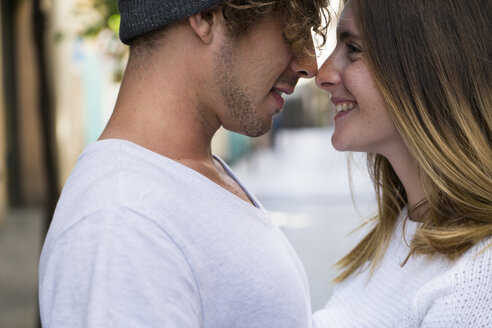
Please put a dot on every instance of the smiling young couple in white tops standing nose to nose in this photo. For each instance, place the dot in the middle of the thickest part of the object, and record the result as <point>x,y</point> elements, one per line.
<point>153,230</point>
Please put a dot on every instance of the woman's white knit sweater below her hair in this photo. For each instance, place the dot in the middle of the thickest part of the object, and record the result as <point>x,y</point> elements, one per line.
<point>426,292</point>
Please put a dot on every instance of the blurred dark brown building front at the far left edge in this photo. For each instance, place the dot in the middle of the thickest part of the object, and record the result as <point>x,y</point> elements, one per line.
<point>21,165</point>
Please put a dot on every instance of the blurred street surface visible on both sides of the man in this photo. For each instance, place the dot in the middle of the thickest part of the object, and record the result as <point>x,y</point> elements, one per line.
<point>302,181</point>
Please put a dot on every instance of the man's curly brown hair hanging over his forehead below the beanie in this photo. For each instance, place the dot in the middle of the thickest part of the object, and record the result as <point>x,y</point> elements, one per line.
<point>300,16</point>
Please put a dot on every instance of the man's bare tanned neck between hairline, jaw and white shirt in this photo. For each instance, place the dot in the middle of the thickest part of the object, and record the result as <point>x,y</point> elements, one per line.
<point>162,115</point>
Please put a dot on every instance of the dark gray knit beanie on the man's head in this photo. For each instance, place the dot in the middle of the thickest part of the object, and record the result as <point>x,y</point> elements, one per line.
<point>142,16</point>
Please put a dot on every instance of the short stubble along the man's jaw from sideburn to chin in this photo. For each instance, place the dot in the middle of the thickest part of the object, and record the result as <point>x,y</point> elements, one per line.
<point>240,109</point>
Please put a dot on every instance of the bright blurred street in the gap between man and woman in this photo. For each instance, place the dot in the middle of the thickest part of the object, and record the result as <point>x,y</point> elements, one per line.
<point>303,181</point>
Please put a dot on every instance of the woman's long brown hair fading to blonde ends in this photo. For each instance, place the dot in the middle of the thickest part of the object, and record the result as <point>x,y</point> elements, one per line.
<point>432,61</point>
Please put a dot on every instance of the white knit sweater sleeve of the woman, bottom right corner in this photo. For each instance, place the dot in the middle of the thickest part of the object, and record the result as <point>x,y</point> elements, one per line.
<point>463,297</point>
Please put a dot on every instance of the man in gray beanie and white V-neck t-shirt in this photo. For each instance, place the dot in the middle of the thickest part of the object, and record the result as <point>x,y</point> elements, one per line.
<point>151,229</point>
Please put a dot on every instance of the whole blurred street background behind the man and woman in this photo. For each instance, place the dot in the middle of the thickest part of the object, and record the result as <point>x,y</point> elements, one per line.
<point>60,67</point>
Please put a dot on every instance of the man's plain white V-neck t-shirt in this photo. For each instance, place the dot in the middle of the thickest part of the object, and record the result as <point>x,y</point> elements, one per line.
<point>139,240</point>
